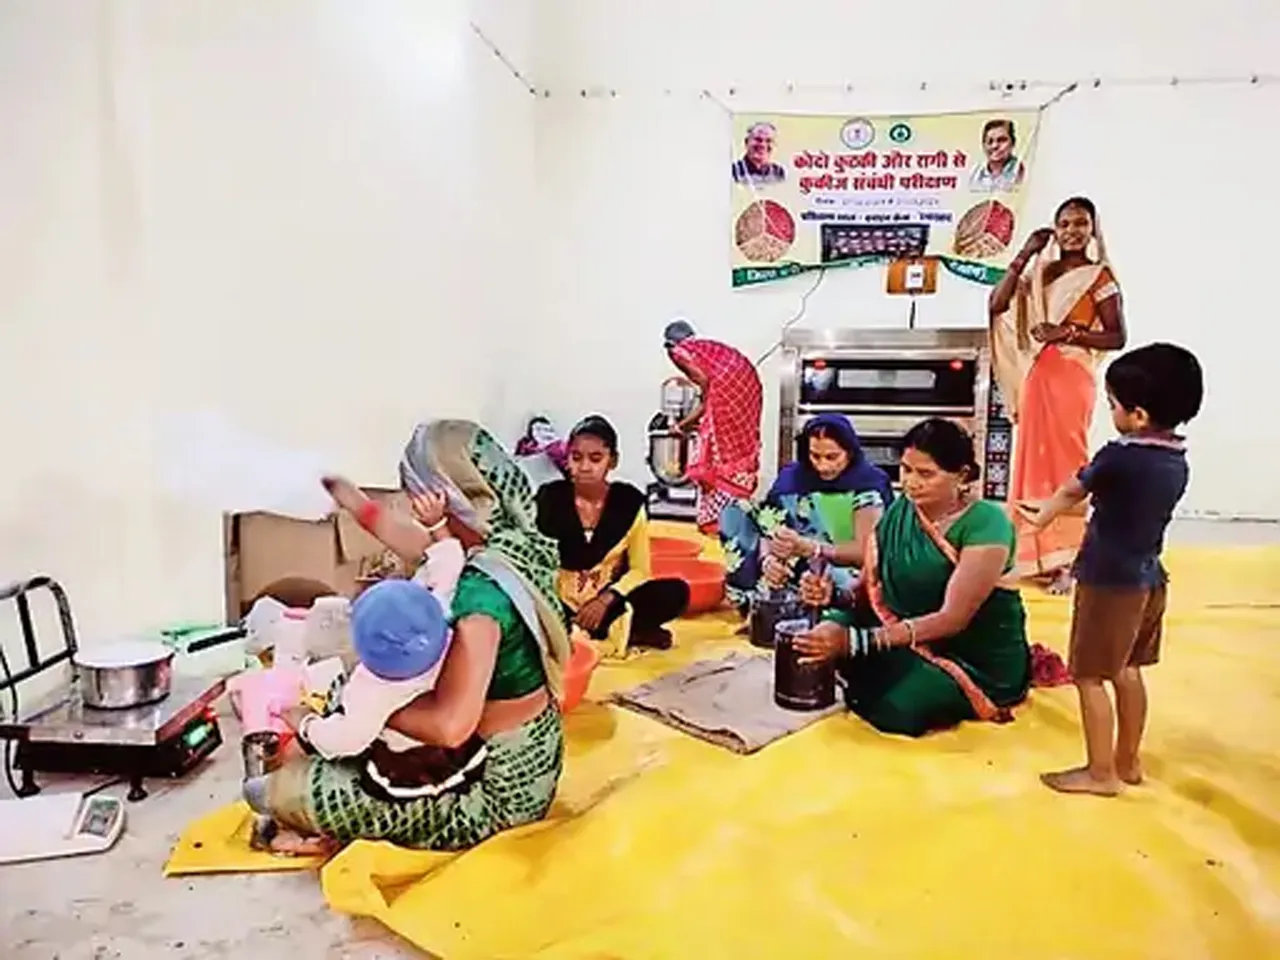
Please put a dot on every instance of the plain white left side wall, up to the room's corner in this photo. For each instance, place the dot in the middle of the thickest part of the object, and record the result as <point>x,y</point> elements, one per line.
<point>289,212</point>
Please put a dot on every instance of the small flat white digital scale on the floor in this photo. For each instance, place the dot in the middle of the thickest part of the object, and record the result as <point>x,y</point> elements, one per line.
<point>60,825</point>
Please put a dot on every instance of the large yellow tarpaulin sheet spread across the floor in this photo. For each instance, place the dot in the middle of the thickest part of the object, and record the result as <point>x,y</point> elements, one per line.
<point>843,843</point>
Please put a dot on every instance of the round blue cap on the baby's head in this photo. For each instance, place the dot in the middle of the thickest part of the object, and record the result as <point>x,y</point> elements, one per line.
<point>399,629</point>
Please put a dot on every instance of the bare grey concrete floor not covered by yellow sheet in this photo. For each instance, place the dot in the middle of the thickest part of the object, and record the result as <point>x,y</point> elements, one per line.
<point>118,906</point>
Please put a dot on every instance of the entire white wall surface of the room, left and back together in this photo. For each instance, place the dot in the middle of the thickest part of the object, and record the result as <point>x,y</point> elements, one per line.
<point>330,220</point>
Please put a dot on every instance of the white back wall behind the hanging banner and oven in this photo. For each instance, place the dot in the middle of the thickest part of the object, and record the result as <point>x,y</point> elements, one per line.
<point>636,184</point>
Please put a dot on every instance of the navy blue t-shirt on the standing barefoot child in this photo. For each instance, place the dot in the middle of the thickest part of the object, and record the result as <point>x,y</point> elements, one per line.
<point>1135,484</point>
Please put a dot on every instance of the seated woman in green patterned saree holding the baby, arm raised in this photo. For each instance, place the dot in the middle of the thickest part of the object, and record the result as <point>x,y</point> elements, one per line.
<point>500,678</point>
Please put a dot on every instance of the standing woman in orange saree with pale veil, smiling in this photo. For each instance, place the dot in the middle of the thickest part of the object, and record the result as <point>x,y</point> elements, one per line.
<point>1050,327</point>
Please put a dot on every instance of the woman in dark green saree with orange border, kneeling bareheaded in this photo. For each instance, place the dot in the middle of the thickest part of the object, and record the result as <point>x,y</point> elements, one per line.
<point>938,634</point>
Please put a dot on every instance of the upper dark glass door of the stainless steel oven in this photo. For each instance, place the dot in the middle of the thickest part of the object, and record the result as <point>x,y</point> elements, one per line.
<point>889,383</point>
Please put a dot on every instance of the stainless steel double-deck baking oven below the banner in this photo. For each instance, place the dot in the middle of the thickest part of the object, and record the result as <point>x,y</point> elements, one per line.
<point>886,381</point>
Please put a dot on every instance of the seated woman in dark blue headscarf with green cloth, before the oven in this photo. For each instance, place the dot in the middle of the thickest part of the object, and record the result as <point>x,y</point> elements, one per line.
<point>825,504</point>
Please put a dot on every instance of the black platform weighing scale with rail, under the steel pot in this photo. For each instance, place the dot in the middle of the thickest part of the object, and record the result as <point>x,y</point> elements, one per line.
<point>61,735</point>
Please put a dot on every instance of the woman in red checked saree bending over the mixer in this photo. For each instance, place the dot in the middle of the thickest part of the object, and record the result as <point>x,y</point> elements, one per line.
<point>726,465</point>
